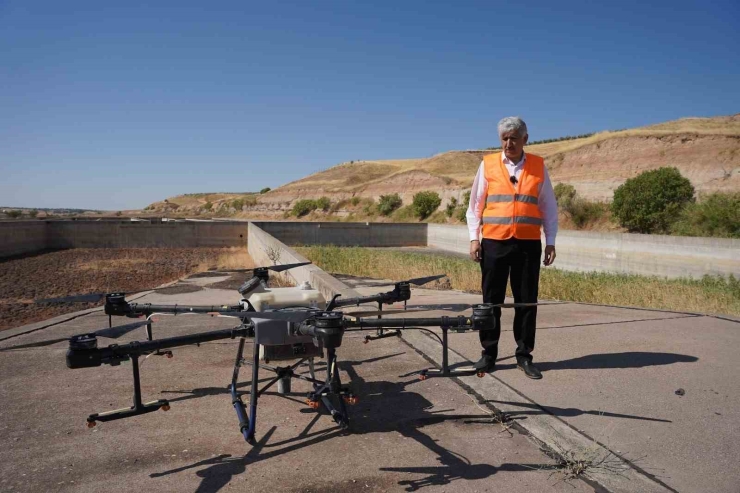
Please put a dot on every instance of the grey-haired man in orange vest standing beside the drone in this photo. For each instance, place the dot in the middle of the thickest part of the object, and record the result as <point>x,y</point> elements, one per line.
<point>512,197</point>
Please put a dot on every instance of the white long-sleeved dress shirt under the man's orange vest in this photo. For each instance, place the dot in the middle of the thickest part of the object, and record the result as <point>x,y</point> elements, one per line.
<point>547,204</point>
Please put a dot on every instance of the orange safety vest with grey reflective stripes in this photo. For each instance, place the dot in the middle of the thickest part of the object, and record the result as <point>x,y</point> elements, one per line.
<point>512,211</point>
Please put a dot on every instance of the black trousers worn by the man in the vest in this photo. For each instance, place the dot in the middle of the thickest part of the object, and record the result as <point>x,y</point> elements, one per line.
<point>518,260</point>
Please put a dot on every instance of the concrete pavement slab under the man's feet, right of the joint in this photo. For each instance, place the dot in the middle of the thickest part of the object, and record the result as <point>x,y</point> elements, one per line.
<point>656,389</point>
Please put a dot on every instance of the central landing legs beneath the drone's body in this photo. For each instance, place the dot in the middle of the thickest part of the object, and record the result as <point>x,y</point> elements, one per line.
<point>323,390</point>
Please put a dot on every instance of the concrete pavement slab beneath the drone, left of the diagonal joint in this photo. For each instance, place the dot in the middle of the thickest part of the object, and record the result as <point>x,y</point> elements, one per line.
<point>406,435</point>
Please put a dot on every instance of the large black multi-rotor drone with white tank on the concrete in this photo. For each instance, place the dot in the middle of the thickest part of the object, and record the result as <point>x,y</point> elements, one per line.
<point>284,324</point>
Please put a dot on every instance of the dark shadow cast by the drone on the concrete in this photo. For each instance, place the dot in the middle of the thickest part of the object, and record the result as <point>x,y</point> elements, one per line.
<point>385,407</point>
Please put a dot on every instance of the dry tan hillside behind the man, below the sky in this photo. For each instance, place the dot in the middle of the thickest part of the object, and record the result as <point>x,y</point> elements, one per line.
<point>705,150</point>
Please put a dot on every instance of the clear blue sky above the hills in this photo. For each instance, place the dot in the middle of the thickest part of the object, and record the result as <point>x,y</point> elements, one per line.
<point>115,105</point>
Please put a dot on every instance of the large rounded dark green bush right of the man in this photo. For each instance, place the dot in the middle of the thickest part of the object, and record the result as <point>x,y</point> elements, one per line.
<point>652,201</point>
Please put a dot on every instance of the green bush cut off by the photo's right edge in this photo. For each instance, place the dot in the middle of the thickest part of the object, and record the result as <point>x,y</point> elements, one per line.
<point>717,214</point>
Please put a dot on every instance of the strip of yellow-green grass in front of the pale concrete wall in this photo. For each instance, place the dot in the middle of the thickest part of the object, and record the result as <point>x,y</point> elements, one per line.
<point>711,295</point>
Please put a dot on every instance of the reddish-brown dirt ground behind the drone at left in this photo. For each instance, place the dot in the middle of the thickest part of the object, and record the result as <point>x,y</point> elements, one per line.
<point>99,270</point>
